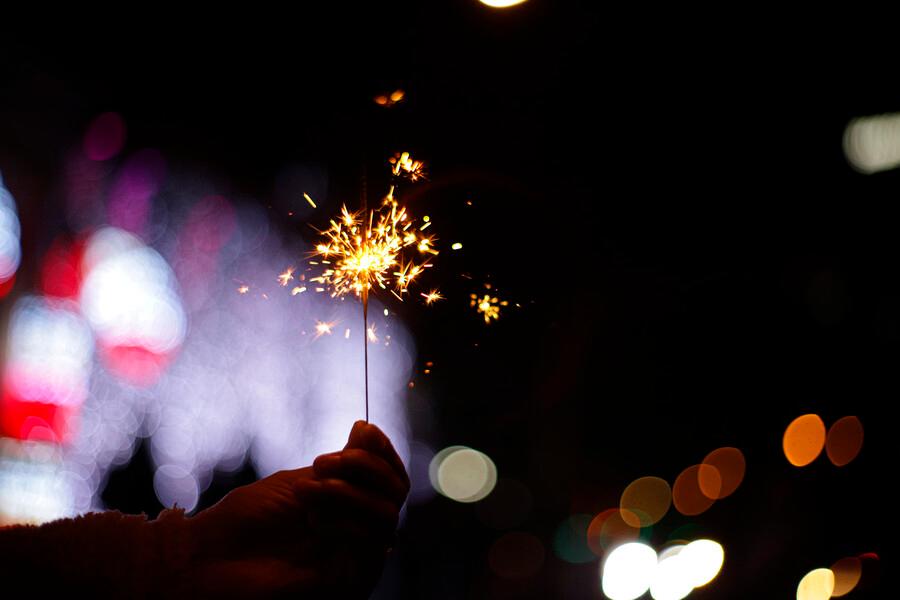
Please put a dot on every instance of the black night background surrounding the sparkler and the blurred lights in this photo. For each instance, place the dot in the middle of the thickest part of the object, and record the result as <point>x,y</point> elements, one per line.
<point>669,203</point>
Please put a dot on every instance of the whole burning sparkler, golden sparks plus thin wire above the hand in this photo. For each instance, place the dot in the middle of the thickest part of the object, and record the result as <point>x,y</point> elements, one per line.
<point>368,250</point>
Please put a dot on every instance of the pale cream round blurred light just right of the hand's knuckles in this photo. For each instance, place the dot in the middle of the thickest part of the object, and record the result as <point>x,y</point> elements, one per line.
<point>463,474</point>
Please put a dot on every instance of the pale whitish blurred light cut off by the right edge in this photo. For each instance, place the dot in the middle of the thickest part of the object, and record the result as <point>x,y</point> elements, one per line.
<point>872,144</point>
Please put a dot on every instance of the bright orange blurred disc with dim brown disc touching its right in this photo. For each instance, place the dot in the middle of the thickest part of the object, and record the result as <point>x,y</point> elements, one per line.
<point>805,438</point>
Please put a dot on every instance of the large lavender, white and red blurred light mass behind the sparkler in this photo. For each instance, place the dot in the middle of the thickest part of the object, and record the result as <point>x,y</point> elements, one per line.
<point>211,379</point>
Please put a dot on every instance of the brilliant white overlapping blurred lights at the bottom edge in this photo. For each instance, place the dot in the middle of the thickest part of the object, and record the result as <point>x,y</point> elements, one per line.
<point>634,567</point>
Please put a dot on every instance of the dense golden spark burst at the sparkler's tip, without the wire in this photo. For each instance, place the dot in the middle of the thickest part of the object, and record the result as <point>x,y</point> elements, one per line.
<point>362,251</point>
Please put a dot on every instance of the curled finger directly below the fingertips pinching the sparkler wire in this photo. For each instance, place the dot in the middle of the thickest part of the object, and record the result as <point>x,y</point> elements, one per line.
<point>365,469</point>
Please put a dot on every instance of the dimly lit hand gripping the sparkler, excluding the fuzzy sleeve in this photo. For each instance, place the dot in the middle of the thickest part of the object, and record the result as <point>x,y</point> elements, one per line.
<point>320,531</point>
